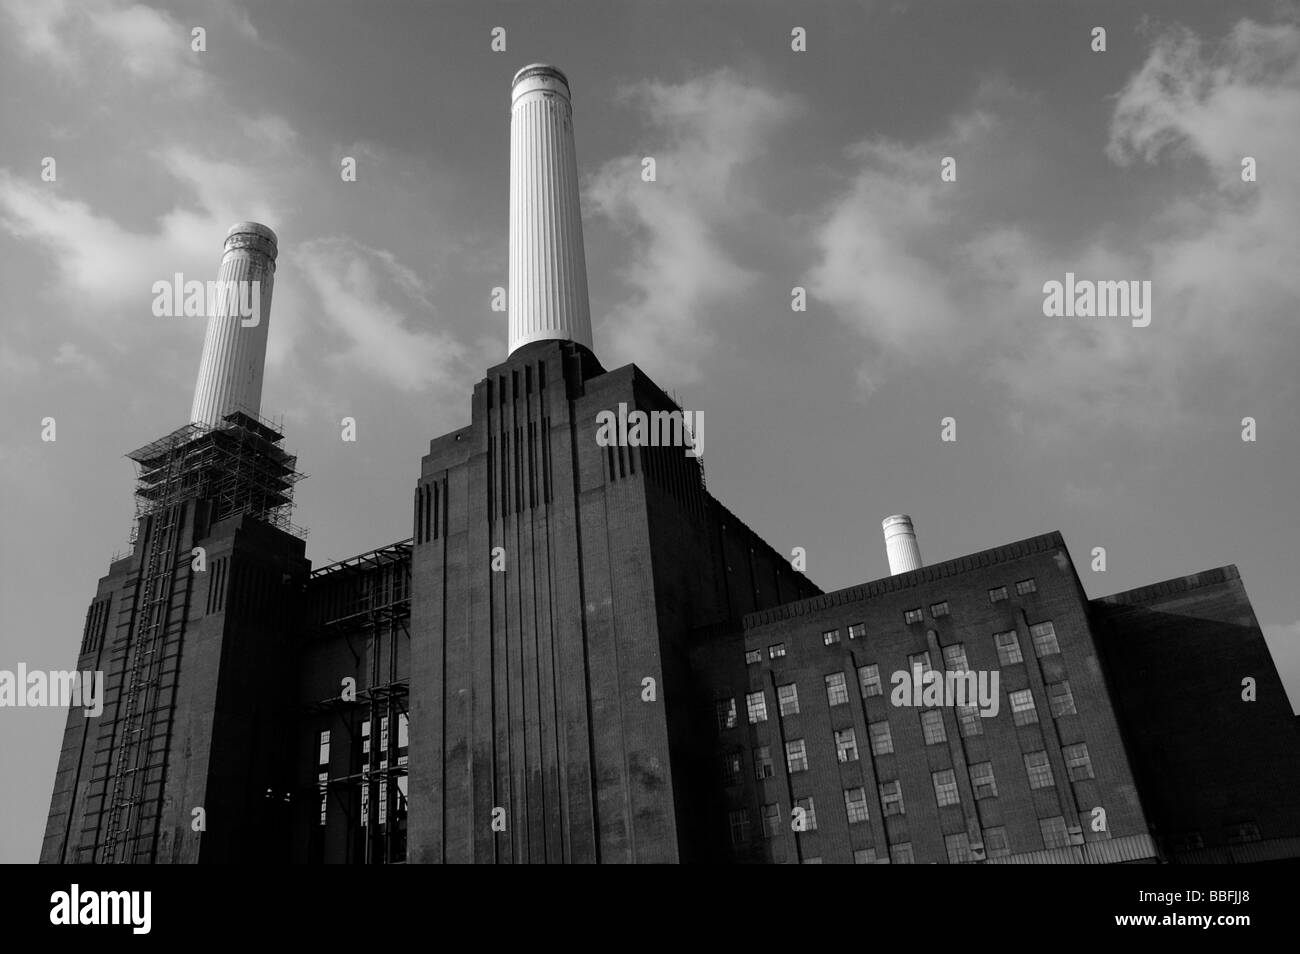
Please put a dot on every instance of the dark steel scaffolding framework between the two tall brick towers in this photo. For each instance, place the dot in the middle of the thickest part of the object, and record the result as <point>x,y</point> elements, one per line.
<point>367,600</point>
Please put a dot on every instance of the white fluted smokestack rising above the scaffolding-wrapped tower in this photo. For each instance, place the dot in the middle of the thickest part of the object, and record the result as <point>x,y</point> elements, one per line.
<point>235,350</point>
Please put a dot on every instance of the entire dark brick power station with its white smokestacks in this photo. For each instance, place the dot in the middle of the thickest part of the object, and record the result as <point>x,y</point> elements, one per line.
<point>580,656</point>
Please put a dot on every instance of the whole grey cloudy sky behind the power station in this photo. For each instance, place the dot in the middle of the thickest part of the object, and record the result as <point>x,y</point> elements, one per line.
<point>775,170</point>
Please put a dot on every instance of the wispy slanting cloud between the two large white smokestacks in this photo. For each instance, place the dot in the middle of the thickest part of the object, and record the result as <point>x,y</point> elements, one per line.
<point>366,297</point>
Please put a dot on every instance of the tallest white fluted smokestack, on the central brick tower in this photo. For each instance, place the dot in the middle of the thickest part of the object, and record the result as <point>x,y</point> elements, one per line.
<point>548,268</point>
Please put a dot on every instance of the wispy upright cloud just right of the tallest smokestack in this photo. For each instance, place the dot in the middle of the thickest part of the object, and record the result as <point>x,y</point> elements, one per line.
<point>709,129</point>
